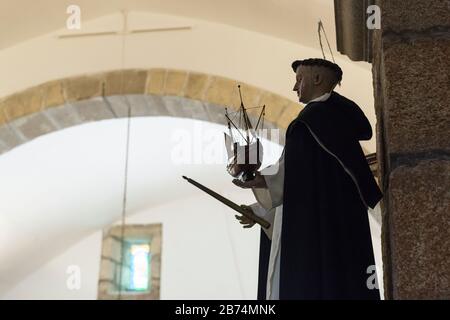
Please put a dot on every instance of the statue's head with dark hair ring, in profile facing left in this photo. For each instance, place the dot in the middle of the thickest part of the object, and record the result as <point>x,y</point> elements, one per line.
<point>315,77</point>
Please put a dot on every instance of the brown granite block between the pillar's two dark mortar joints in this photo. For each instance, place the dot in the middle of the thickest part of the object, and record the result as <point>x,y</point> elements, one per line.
<point>416,96</point>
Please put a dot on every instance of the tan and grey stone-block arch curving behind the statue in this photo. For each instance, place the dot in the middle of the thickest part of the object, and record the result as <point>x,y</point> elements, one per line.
<point>71,101</point>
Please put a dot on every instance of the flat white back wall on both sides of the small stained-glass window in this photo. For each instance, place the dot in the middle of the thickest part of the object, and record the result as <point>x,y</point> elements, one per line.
<point>205,255</point>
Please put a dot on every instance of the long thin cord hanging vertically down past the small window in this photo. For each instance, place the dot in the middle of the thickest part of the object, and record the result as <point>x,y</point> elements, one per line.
<point>127,150</point>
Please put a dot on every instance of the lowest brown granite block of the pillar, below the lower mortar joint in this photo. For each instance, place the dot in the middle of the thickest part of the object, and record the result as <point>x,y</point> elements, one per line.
<point>420,230</point>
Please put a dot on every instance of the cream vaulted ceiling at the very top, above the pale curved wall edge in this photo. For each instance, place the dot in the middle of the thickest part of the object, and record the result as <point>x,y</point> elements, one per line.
<point>292,20</point>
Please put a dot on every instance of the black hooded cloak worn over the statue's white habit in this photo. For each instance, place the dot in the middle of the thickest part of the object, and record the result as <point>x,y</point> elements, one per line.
<point>326,247</point>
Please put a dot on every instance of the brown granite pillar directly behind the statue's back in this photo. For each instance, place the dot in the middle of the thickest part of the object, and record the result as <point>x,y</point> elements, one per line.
<point>411,82</point>
